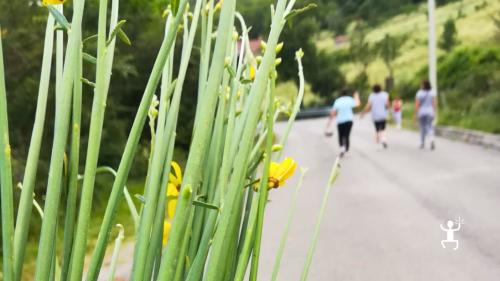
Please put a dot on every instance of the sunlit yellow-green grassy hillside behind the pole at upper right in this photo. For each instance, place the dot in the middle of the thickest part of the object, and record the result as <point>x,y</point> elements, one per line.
<point>474,25</point>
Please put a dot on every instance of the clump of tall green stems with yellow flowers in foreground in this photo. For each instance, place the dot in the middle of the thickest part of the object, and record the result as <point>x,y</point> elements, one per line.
<point>203,222</point>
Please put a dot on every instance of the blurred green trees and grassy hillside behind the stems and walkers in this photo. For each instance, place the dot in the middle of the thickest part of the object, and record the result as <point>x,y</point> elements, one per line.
<point>347,43</point>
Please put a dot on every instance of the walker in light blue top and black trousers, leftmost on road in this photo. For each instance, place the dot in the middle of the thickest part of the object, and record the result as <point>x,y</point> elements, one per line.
<point>343,115</point>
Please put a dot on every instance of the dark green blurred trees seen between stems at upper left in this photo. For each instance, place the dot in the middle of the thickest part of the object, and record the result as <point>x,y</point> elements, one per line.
<point>23,45</point>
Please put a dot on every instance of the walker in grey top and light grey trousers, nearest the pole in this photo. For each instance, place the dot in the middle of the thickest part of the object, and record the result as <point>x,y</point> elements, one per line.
<point>425,111</point>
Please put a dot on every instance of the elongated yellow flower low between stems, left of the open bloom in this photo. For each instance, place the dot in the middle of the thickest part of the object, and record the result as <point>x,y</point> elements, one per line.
<point>173,188</point>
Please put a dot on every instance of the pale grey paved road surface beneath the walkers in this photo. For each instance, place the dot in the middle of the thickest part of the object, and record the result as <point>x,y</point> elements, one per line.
<point>384,213</point>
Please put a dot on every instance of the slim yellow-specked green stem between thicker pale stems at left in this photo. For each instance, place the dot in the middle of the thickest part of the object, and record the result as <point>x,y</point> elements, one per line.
<point>71,201</point>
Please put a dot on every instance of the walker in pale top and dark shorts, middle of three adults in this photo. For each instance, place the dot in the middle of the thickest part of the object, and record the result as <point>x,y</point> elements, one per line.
<point>378,104</point>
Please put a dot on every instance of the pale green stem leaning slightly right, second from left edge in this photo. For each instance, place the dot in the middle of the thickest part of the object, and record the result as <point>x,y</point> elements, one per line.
<point>25,203</point>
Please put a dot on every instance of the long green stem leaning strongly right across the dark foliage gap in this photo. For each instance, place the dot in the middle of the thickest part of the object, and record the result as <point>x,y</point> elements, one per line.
<point>130,149</point>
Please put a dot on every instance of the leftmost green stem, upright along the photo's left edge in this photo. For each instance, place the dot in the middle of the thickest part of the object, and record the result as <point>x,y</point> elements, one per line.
<point>6,179</point>
